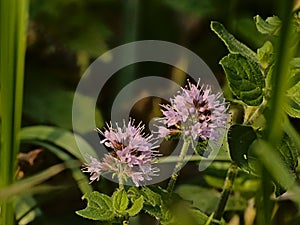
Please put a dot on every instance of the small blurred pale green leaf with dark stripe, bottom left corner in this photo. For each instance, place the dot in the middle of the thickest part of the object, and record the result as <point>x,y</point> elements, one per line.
<point>26,209</point>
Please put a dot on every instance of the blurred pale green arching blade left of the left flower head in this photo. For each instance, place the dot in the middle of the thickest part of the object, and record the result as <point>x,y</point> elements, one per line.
<point>59,137</point>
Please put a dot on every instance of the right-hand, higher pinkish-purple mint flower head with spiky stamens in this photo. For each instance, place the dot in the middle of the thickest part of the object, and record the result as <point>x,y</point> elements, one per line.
<point>195,112</point>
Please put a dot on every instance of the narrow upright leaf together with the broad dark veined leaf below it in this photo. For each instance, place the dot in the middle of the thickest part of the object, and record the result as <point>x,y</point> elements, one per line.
<point>243,73</point>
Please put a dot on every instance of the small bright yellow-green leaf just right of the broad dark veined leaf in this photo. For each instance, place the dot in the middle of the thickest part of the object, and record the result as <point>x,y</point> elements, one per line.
<point>265,55</point>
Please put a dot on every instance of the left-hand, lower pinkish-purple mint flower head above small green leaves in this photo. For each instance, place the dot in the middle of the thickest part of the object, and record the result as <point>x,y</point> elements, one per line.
<point>131,157</point>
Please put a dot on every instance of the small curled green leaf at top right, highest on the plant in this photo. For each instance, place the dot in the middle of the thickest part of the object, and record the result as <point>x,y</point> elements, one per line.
<point>270,26</point>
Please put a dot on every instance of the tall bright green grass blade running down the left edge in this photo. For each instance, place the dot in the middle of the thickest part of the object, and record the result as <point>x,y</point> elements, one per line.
<point>13,27</point>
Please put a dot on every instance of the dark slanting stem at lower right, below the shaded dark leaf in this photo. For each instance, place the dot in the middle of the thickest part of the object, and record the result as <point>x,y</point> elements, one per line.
<point>228,184</point>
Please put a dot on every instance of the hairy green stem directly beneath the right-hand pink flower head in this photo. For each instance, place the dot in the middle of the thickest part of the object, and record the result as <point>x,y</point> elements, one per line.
<point>178,166</point>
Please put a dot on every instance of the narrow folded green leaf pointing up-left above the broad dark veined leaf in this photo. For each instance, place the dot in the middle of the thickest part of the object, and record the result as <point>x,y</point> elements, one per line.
<point>234,46</point>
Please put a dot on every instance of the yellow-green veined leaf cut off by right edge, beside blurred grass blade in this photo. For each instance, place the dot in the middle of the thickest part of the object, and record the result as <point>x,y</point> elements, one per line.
<point>292,100</point>
